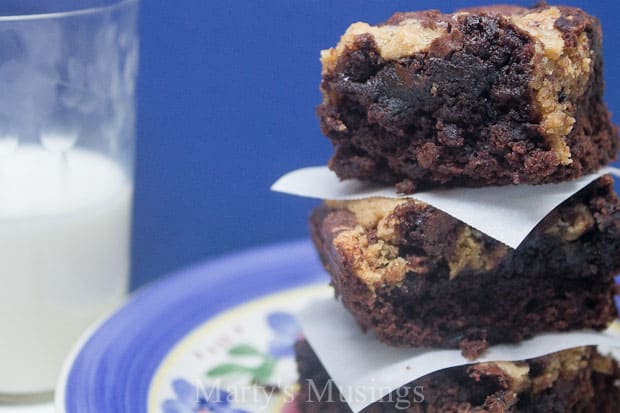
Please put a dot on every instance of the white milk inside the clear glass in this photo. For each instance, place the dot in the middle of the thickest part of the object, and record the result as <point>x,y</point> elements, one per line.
<point>64,257</point>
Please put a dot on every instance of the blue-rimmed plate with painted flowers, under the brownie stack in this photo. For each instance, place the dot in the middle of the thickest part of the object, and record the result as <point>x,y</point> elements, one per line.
<point>216,337</point>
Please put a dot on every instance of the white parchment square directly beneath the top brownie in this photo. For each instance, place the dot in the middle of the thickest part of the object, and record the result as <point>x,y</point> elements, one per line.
<point>507,213</point>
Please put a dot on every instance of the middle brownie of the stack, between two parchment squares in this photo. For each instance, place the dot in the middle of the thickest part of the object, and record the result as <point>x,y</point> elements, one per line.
<point>418,277</point>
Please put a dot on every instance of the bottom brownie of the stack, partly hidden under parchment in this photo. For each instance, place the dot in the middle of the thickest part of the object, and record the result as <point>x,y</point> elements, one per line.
<point>575,380</point>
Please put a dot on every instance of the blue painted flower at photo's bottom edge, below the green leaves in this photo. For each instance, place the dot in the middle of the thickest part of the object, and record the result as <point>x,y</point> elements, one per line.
<point>190,400</point>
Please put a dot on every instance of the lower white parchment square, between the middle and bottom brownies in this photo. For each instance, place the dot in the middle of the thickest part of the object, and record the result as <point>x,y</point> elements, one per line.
<point>366,369</point>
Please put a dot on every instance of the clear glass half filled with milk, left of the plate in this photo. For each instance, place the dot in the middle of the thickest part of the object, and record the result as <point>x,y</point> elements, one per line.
<point>67,78</point>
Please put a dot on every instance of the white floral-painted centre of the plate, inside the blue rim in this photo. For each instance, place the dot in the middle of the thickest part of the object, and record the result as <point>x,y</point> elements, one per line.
<point>239,362</point>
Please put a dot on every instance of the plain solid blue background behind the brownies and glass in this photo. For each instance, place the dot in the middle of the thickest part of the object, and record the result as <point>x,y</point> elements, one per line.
<point>227,94</point>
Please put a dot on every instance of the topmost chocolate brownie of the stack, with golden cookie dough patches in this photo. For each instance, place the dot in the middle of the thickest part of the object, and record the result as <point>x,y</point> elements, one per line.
<point>486,96</point>
